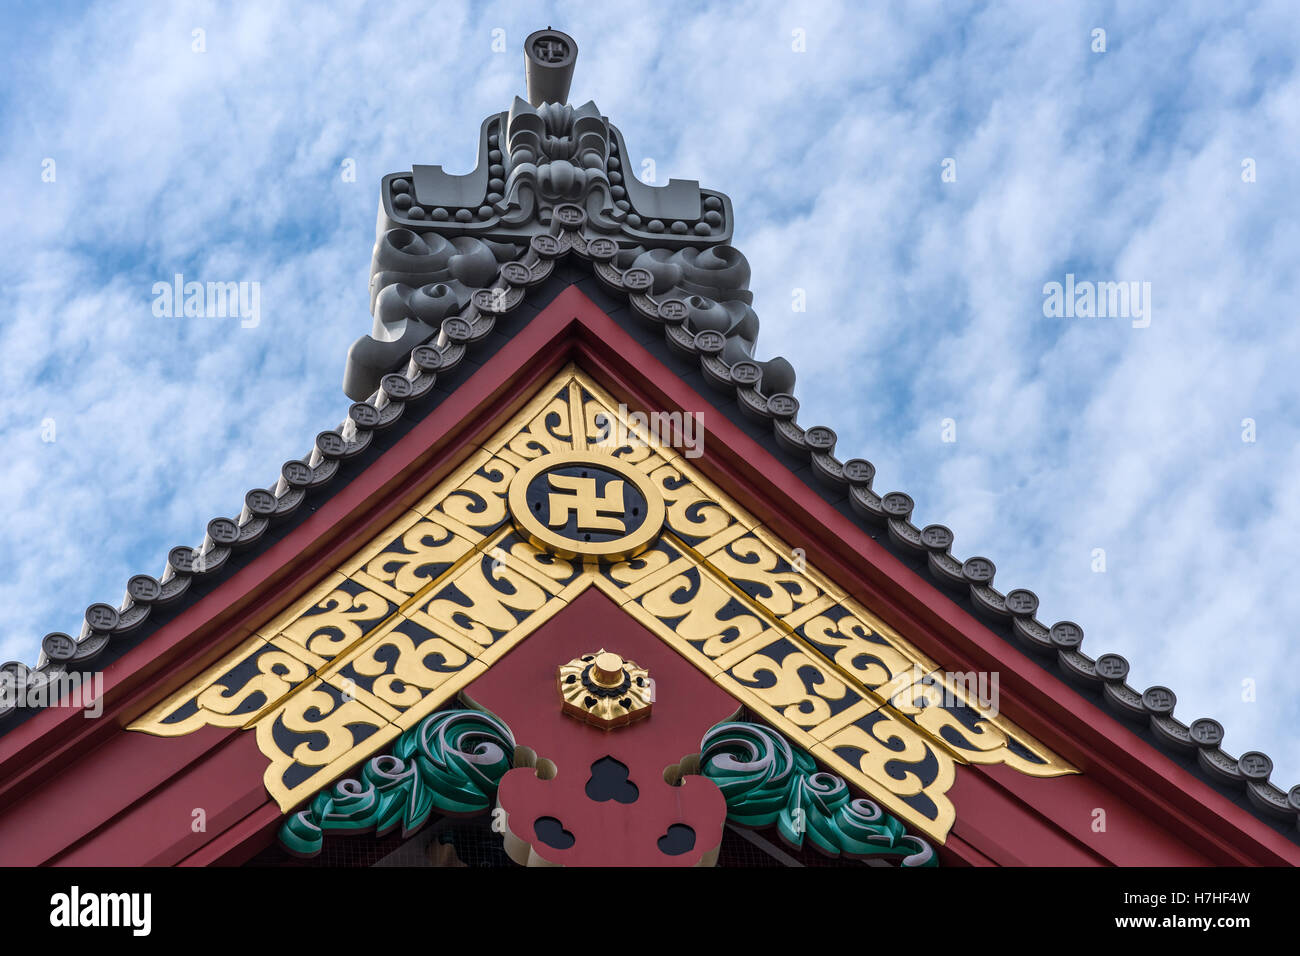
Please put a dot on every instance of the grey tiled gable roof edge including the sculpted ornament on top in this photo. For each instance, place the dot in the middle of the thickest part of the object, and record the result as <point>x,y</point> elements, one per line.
<point>449,291</point>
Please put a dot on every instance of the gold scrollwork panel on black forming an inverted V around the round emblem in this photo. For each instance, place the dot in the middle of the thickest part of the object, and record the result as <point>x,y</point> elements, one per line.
<point>452,586</point>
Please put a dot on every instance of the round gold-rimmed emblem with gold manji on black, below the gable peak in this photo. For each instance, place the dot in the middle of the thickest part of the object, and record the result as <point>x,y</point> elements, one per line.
<point>587,505</point>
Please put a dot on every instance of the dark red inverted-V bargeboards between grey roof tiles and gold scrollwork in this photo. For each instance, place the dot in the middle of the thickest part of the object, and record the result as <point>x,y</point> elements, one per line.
<point>1162,810</point>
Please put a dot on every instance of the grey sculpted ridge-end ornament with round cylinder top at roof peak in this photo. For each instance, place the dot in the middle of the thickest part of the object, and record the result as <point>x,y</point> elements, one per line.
<point>454,253</point>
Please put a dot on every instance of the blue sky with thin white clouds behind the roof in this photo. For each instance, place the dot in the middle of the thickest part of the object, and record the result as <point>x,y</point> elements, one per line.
<point>925,299</point>
